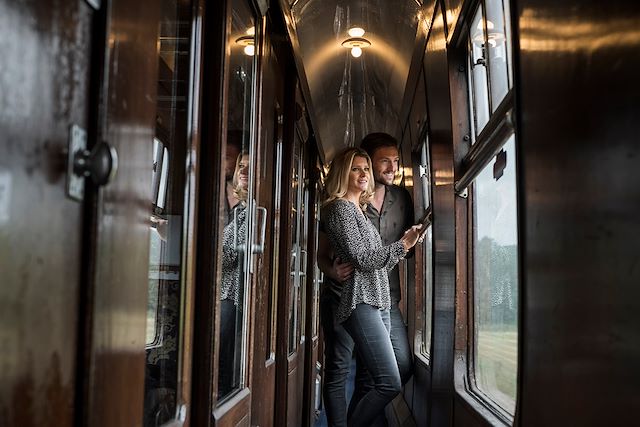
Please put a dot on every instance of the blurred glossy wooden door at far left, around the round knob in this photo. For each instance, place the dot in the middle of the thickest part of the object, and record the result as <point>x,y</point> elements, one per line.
<point>74,287</point>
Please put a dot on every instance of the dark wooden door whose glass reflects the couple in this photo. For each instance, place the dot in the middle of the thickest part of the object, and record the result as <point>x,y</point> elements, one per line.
<point>231,216</point>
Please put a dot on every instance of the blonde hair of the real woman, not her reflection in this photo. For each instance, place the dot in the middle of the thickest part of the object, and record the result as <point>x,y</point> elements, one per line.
<point>337,182</point>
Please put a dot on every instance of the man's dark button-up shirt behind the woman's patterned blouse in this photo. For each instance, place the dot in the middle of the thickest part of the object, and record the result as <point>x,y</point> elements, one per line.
<point>396,218</point>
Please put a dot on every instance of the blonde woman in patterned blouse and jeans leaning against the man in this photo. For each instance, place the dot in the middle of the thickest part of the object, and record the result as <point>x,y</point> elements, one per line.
<point>364,300</point>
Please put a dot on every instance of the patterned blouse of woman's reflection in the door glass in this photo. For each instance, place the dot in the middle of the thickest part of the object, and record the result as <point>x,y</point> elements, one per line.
<point>232,256</point>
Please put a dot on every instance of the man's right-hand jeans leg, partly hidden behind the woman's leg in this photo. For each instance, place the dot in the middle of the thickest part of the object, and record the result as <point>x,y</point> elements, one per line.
<point>402,351</point>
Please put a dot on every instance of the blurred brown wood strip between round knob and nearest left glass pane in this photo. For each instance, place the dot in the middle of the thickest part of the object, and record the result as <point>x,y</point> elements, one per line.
<point>115,375</point>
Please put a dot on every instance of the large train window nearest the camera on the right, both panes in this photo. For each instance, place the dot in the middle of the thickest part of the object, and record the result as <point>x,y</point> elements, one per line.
<point>489,171</point>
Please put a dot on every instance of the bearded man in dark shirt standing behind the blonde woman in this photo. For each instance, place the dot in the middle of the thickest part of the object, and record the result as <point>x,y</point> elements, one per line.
<point>391,212</point>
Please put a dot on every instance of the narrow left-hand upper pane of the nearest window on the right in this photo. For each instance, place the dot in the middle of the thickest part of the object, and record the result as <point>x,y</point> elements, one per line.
<point>478,74</point>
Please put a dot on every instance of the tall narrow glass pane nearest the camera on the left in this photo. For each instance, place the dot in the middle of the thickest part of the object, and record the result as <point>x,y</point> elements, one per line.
<point>170,147</point>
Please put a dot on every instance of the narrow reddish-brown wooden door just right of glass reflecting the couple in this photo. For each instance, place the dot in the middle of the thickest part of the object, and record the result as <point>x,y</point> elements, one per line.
<point>268,190</point>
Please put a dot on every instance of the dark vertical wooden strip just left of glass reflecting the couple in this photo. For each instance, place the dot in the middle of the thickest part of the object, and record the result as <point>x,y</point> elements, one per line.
<point>210,202</point>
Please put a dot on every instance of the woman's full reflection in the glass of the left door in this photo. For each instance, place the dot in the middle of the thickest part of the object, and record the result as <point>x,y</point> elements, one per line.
<point>231,294</point>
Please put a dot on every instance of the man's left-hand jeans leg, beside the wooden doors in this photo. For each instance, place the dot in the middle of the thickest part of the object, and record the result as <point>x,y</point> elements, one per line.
<point>338,350</point>
